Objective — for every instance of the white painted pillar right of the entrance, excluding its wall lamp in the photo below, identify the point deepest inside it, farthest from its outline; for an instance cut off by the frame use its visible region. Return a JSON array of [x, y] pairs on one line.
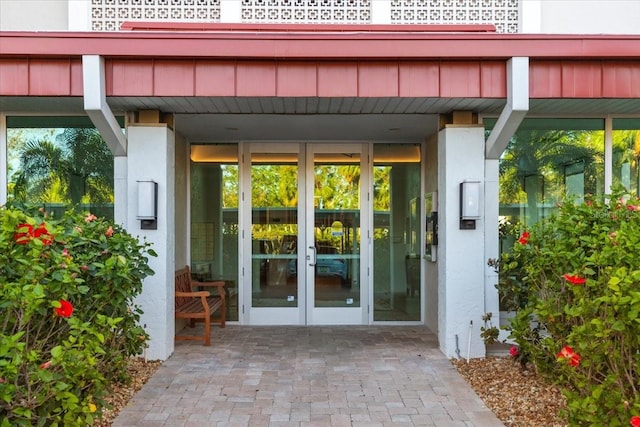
[[461, 258]]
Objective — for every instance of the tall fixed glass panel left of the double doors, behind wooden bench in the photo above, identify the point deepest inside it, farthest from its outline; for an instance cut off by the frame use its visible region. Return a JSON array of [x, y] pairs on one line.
[[214, 217]]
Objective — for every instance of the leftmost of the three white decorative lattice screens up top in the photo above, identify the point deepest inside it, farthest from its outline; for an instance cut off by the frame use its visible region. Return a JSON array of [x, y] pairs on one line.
[[108, 15]]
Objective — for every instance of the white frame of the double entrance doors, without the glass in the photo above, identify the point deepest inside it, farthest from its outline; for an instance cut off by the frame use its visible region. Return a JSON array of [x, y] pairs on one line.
[[304, 313]]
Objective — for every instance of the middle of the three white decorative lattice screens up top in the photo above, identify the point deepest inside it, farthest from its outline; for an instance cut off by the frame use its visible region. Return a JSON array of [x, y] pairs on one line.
[[307, 11]]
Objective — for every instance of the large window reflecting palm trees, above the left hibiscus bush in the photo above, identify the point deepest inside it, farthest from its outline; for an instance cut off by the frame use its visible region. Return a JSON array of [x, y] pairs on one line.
[[58, 162]]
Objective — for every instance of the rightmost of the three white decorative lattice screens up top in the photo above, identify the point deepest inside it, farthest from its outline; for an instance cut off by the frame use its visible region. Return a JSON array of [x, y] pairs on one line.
[[502, 13]]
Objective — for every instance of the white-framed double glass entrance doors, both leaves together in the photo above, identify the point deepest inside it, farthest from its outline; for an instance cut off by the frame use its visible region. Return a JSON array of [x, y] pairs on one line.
[[304, 233]]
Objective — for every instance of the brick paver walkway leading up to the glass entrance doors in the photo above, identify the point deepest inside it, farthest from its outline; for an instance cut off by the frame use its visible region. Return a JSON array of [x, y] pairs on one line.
[[308, 376]]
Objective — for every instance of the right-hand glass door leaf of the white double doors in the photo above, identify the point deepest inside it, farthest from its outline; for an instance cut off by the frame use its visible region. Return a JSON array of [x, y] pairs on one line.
[[334, 234]]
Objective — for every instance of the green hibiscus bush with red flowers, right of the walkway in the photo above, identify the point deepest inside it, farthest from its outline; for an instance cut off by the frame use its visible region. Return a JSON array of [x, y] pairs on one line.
[[575, 280]]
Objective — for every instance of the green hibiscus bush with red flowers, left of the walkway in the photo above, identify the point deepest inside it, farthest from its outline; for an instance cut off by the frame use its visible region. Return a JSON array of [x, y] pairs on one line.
[[69, 321]]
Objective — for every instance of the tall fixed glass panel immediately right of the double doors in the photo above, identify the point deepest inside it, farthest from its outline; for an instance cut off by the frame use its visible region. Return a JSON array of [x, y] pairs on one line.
[[397, 238]]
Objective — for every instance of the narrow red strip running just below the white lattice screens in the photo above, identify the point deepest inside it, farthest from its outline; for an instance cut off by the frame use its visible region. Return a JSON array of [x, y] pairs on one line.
[[305, 28]]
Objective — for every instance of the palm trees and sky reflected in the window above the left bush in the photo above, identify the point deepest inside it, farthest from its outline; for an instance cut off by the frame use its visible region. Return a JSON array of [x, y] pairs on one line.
[[76, 168]]
